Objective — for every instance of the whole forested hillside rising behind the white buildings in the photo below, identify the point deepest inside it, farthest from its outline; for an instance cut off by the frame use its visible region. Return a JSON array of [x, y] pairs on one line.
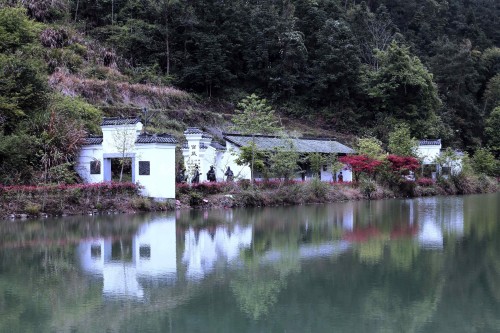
[[353, 67]]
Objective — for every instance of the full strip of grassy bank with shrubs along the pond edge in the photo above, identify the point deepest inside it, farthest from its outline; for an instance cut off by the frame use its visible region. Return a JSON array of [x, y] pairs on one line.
[[106, 198]]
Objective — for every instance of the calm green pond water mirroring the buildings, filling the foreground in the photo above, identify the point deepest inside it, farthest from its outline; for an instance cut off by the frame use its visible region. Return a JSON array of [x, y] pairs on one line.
[[419, 265]]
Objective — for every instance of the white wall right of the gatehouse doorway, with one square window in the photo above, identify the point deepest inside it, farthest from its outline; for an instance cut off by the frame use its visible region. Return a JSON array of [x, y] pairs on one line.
[[160, 183]]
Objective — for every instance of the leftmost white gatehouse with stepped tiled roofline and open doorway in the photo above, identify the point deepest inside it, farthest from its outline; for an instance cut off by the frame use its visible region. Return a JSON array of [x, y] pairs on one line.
[[152, 156]]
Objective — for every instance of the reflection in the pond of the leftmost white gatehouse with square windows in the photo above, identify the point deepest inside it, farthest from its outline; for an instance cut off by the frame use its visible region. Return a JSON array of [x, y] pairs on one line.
[[153, 254]]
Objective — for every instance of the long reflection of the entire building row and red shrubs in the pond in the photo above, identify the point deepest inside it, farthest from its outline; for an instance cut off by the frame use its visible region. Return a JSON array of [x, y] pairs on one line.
[[202, 241]]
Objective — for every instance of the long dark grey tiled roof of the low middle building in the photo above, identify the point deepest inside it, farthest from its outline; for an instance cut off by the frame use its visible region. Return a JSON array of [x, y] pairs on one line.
[[302, 145]]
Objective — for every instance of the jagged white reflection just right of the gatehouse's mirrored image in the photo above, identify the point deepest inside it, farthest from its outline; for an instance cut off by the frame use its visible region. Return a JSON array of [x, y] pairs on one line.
[[204, 248]]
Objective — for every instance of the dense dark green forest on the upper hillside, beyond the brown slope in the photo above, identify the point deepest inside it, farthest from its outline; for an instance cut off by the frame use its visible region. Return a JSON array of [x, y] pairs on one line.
[[352, 66]]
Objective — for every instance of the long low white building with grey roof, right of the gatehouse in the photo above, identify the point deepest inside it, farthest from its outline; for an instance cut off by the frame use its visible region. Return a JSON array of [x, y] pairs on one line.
[[202, 151]]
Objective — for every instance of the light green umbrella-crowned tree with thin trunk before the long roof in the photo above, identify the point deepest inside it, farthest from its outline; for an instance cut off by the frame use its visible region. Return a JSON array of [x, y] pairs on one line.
[[254, 116]]
